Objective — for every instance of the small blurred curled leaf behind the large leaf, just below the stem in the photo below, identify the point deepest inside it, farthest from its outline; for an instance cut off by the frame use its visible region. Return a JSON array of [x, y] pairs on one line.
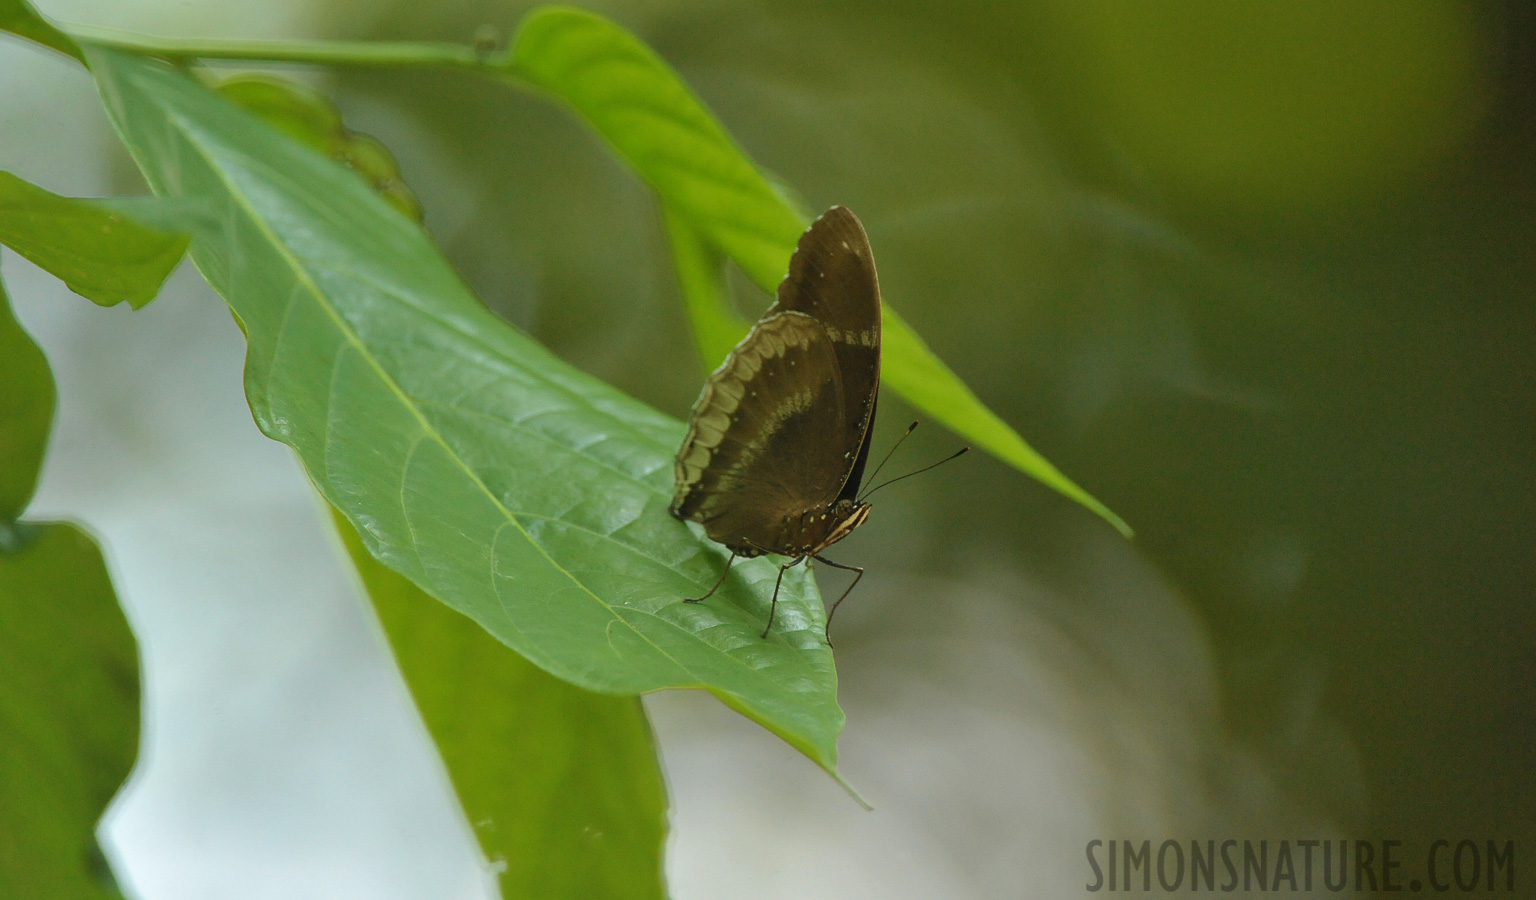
[[313, 121]]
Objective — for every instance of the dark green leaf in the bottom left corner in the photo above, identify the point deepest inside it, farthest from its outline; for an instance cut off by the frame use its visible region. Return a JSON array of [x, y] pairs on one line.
[[68, 712]]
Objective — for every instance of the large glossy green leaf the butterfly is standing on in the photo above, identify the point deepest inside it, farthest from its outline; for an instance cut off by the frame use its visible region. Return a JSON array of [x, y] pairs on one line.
[[500, 480]]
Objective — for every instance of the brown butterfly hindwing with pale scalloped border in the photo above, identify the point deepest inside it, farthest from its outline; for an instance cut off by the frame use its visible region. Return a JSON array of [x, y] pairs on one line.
[[755, 452]]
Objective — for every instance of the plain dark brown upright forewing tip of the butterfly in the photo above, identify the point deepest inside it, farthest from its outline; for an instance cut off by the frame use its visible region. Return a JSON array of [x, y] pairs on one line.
[[833, 280]]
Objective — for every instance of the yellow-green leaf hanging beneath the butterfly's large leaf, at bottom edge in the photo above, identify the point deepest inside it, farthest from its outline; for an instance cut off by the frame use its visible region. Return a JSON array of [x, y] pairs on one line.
[[560, 784]]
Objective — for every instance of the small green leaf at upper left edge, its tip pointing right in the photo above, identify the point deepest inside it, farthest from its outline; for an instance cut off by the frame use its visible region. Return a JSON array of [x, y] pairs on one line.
[[99, 253]]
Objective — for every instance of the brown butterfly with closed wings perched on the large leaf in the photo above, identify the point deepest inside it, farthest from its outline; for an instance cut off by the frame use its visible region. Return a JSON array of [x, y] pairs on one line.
[[780, 437]]
